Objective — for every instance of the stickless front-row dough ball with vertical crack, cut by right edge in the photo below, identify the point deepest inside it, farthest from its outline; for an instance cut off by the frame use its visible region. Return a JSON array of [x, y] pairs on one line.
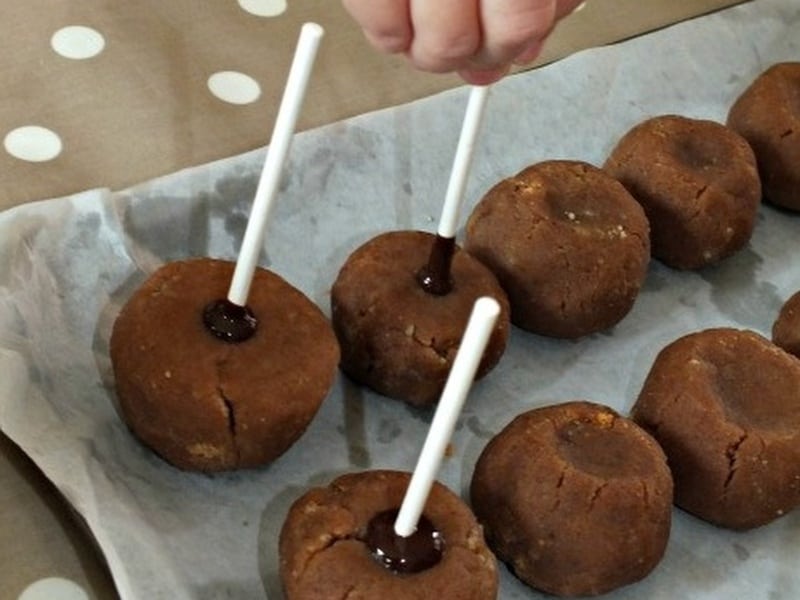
[[724, 405]]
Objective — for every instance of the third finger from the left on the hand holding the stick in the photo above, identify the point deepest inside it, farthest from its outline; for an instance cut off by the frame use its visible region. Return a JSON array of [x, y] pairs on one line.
[[510, 27]]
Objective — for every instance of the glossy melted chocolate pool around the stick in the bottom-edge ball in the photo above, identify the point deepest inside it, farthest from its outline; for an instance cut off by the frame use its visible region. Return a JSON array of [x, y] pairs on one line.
[[417, 552]]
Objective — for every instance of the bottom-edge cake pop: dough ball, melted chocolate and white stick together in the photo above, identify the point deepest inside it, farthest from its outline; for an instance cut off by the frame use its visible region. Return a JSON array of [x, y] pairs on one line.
[[418, 541]]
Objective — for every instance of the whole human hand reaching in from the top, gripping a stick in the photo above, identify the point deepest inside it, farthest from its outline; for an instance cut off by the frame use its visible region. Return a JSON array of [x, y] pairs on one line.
[[479, 39]]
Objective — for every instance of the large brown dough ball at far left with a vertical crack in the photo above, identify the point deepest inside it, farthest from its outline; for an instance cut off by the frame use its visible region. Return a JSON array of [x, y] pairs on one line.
[[208, 405]]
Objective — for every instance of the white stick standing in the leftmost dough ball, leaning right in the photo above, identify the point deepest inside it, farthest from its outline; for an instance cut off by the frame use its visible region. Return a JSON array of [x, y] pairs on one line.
[[299, 74]]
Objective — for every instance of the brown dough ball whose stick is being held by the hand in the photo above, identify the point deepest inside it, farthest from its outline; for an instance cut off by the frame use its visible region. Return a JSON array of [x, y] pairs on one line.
[[397, 338]]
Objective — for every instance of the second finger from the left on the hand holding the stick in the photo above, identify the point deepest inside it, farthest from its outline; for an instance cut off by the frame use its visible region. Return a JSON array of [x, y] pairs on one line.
[[446, 33]]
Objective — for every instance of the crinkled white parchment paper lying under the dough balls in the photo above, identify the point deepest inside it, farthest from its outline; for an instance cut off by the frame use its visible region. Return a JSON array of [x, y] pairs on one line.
[[67, 265]]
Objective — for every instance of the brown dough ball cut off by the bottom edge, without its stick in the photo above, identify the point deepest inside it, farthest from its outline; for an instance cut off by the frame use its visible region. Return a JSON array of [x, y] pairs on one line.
[[323, 554]]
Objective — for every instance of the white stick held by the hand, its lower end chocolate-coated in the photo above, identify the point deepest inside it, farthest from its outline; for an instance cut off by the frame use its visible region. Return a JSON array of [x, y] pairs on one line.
[[448, 223]]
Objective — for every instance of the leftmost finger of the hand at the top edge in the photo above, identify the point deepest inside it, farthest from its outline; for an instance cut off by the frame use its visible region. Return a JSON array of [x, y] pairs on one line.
[[386, 23]]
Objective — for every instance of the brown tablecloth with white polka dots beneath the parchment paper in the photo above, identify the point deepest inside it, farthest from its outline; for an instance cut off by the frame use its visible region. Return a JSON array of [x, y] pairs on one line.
[[138, 105]]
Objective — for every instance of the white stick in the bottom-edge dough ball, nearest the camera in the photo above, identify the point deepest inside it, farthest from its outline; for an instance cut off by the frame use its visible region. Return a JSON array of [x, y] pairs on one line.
[[473, 343]]
